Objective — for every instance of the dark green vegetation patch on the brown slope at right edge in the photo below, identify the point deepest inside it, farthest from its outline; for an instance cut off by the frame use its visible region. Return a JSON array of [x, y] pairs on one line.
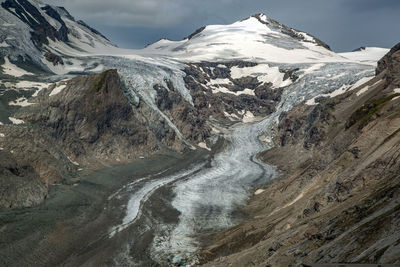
[[363, 114]]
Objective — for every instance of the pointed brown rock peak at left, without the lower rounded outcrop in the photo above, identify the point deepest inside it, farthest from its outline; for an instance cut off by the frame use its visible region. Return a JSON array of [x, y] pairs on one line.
[[88, 116]]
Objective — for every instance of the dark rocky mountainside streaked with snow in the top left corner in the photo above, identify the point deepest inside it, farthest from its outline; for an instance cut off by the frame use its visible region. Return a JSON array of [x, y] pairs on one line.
[[30, 30]]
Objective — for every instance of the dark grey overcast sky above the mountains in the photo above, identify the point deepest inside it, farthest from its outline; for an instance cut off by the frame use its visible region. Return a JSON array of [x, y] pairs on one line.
[[342, 24]]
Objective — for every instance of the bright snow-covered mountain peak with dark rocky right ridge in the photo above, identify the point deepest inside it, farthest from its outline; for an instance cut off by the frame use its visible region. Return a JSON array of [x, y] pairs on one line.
[[257, 37]]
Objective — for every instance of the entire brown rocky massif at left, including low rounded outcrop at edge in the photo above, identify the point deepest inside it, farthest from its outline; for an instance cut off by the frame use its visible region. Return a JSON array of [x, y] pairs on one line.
[[86, 121]]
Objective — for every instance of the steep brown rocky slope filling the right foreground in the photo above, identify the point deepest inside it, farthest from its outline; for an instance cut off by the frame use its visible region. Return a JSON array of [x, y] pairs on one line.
[[338, 199]]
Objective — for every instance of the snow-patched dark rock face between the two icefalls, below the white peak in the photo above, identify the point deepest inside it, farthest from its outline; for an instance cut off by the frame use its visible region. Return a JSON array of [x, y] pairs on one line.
[[209, 101]]
